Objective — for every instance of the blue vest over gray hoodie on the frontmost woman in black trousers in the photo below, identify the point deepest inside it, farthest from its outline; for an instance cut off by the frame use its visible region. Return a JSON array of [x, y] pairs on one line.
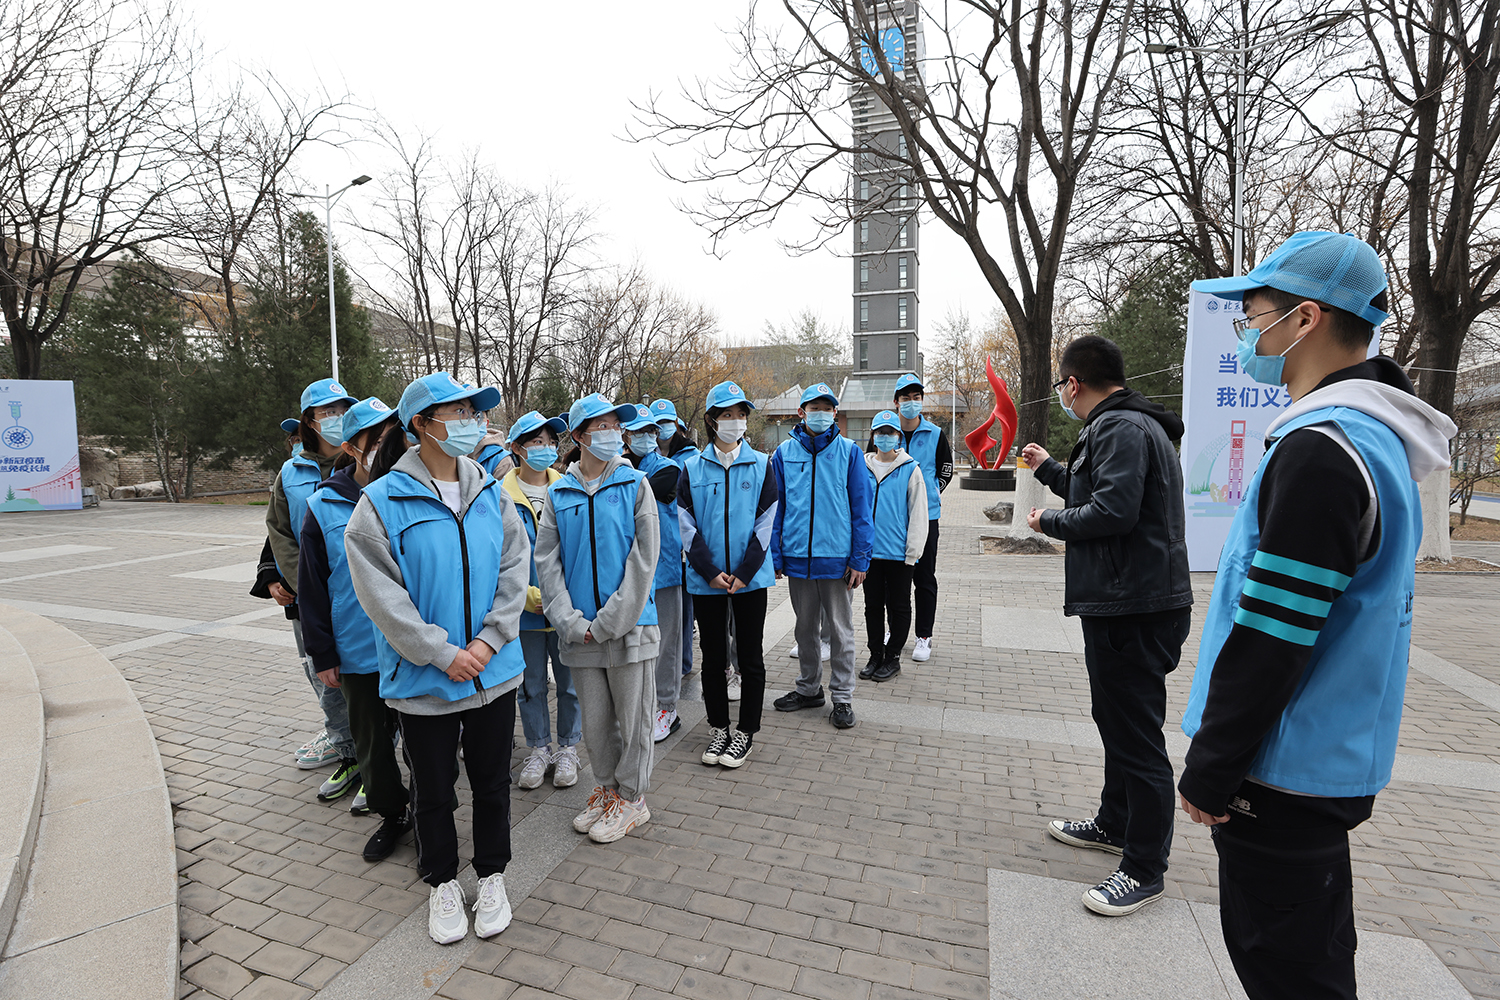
[[451, 569]]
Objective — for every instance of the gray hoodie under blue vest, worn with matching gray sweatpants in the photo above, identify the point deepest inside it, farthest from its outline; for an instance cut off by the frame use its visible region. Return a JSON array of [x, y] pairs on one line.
[[619, 639]]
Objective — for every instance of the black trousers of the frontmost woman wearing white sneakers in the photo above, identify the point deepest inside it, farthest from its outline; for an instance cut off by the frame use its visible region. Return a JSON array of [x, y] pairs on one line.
[[433, 744]]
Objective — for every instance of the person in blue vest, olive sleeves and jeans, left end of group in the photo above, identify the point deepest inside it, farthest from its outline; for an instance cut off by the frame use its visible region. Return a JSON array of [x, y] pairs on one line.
[[322, 433]]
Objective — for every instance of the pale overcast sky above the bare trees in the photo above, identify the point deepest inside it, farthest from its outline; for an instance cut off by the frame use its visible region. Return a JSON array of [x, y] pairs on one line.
[[545, 91]]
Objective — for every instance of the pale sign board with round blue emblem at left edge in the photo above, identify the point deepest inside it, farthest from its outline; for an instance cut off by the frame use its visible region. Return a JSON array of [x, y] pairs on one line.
[[40, 448]]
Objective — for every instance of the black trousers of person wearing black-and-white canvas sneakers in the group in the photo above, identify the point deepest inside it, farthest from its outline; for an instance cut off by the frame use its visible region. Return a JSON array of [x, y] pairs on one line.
[[713, 639]]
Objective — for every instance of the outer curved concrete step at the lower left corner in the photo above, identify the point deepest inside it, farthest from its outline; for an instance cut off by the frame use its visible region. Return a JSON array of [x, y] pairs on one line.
[[98, 915]]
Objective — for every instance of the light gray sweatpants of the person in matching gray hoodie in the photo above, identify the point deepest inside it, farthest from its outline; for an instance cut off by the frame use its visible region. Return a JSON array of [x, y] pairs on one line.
[[619, 713]]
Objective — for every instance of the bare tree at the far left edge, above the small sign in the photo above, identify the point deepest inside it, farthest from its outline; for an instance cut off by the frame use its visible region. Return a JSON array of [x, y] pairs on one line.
[[89, 92]]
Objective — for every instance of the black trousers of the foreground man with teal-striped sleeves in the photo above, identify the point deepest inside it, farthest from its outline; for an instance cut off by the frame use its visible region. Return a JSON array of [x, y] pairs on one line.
[[1286, 893]]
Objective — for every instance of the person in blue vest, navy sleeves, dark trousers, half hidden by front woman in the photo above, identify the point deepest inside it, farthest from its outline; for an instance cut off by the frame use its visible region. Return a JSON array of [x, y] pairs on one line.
[[340, 636]]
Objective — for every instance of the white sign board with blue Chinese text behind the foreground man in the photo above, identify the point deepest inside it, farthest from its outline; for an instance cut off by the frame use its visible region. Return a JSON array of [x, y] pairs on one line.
[[1228, 416]]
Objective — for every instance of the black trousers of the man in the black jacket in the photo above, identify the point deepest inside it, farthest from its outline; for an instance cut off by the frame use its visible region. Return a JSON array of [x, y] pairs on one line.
[[1129, 660]]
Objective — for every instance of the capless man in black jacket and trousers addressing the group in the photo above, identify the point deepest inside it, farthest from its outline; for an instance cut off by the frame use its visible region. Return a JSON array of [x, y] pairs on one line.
[[1127, 579]]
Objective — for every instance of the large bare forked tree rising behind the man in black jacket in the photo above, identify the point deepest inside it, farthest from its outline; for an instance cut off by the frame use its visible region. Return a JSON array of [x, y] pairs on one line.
[[773, 133]]
